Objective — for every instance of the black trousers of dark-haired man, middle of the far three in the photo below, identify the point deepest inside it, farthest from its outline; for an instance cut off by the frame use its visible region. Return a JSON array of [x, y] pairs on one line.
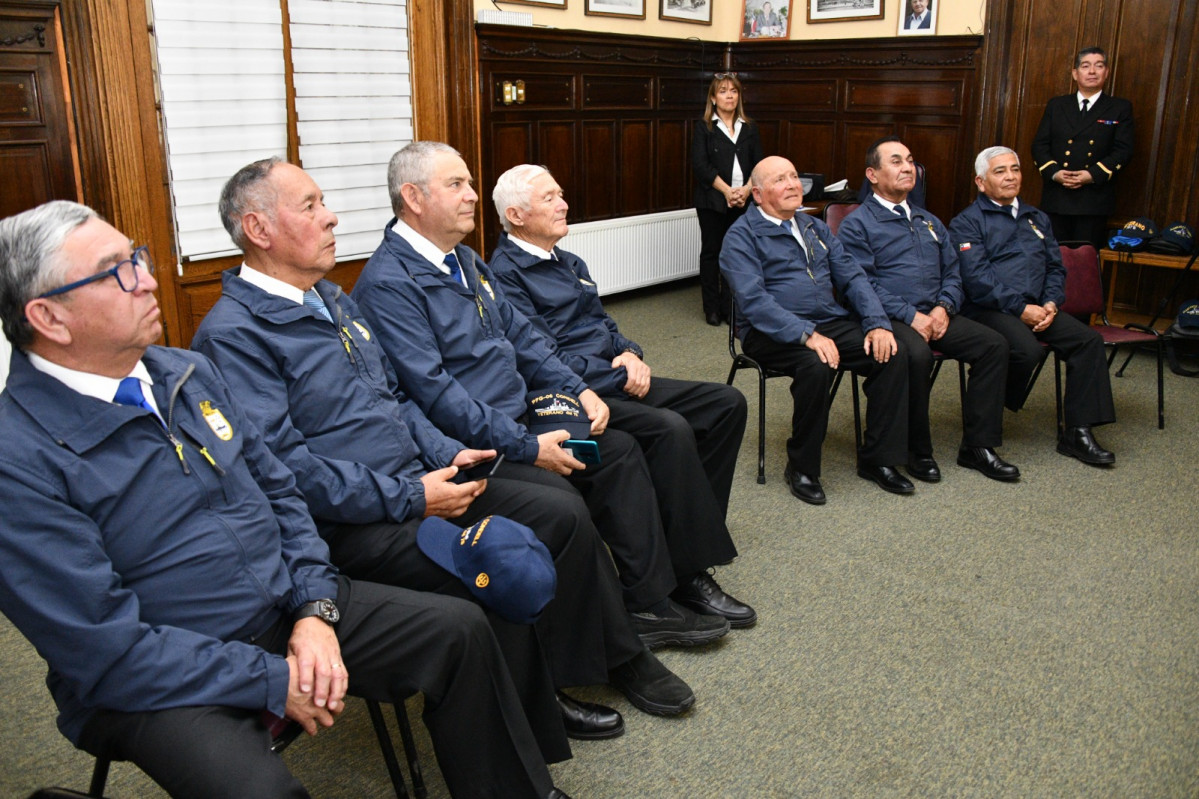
[[983, 412]]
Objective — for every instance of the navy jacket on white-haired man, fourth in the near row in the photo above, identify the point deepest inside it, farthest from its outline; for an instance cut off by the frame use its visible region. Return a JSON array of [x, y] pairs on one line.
[[563, 302]]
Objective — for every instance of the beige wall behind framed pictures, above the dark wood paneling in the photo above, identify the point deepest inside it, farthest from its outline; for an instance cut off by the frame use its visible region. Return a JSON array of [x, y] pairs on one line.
[[954, 20]]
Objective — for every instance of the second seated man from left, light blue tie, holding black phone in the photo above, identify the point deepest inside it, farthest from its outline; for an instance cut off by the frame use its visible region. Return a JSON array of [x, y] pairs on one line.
[[372, 466]]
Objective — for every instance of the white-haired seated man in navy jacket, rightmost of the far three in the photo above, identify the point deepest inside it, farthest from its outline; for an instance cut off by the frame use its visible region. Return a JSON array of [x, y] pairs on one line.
[[1015, 283]]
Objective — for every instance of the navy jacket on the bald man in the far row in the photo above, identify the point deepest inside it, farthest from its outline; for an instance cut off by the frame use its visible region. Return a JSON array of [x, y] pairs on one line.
[[779, 298]]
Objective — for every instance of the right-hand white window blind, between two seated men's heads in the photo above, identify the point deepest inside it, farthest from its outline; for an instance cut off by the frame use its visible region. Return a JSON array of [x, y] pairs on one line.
[[354, 106]]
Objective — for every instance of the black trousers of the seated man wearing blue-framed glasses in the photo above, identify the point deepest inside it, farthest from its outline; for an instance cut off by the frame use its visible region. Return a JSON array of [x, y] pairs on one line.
[[395, 644]]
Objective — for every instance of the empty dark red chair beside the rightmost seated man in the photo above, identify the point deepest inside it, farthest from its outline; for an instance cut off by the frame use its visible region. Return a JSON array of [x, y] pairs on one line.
[[1084, 299]]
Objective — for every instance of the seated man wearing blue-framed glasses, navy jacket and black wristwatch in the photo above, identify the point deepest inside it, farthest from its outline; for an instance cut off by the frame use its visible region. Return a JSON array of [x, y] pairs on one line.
[[162, 561]]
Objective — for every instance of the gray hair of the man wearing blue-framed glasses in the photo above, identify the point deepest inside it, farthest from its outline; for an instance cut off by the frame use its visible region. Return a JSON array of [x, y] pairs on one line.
[[29, 261]]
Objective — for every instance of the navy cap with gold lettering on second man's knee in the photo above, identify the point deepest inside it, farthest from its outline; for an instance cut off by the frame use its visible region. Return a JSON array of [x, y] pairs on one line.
[[502, 562]]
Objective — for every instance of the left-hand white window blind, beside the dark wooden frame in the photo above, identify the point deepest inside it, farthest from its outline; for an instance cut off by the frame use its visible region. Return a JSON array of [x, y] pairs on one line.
[[225, 105]]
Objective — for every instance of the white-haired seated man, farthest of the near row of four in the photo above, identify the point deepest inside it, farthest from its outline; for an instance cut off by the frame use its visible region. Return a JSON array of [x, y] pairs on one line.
[[690, 432]]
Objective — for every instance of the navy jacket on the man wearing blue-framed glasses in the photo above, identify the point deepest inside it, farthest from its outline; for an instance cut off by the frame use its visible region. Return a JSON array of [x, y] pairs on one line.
[[135, 569]]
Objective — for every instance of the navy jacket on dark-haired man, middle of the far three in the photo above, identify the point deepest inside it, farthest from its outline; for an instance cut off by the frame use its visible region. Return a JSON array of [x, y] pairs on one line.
[[912, 265]]
